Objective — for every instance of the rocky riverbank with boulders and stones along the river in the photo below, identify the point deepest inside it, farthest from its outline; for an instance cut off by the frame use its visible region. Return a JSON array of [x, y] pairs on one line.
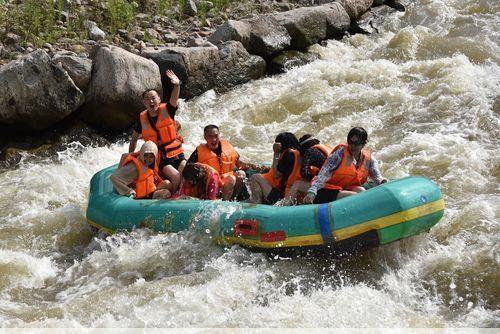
[[58, 92]]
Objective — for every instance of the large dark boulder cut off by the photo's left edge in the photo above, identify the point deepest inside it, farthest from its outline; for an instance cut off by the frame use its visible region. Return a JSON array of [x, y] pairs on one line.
[[36, 93]]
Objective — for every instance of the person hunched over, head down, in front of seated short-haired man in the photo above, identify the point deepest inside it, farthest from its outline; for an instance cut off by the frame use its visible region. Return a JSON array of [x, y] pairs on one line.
[[200, 181]]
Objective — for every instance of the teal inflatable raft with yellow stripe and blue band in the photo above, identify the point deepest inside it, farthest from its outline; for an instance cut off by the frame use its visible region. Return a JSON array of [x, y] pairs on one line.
[[395, 210]]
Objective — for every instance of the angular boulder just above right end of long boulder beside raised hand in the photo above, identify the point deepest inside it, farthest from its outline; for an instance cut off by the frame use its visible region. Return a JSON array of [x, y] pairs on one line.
[[267, 36]]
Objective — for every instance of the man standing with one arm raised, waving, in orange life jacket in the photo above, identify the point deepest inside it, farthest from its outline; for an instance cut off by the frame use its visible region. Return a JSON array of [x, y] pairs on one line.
[[157, 124]]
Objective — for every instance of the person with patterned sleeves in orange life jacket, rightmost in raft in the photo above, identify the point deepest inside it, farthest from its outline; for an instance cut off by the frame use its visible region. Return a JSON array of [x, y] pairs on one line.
[[345, 170]]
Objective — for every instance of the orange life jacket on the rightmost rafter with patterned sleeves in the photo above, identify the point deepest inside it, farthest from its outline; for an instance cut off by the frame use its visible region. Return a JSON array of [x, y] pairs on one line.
[[347, 176]]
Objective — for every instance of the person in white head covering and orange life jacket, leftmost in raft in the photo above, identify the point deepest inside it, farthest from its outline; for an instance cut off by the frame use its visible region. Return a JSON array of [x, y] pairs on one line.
[[138, 175]]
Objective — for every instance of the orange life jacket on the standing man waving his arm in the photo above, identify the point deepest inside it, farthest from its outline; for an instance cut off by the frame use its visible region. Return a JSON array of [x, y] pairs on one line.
[[167, 133]]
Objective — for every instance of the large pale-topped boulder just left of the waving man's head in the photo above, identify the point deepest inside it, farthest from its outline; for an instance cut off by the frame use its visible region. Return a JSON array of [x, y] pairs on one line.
[[118, 80]]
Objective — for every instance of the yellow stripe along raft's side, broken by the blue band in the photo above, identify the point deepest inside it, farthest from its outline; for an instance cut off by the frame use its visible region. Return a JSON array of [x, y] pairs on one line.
[[344, 233]]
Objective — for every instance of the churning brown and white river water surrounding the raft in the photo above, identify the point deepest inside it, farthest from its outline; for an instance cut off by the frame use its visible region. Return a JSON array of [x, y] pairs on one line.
[[427, 90]]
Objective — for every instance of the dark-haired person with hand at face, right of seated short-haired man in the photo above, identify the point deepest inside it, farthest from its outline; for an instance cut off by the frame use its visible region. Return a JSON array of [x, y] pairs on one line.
[[274, 185]]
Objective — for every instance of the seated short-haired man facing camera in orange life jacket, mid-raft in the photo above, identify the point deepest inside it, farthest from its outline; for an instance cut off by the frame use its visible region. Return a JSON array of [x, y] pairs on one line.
[[221, 156]]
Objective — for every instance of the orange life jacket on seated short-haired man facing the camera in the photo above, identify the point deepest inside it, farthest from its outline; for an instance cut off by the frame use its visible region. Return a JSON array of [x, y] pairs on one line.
[[223, 164]]
